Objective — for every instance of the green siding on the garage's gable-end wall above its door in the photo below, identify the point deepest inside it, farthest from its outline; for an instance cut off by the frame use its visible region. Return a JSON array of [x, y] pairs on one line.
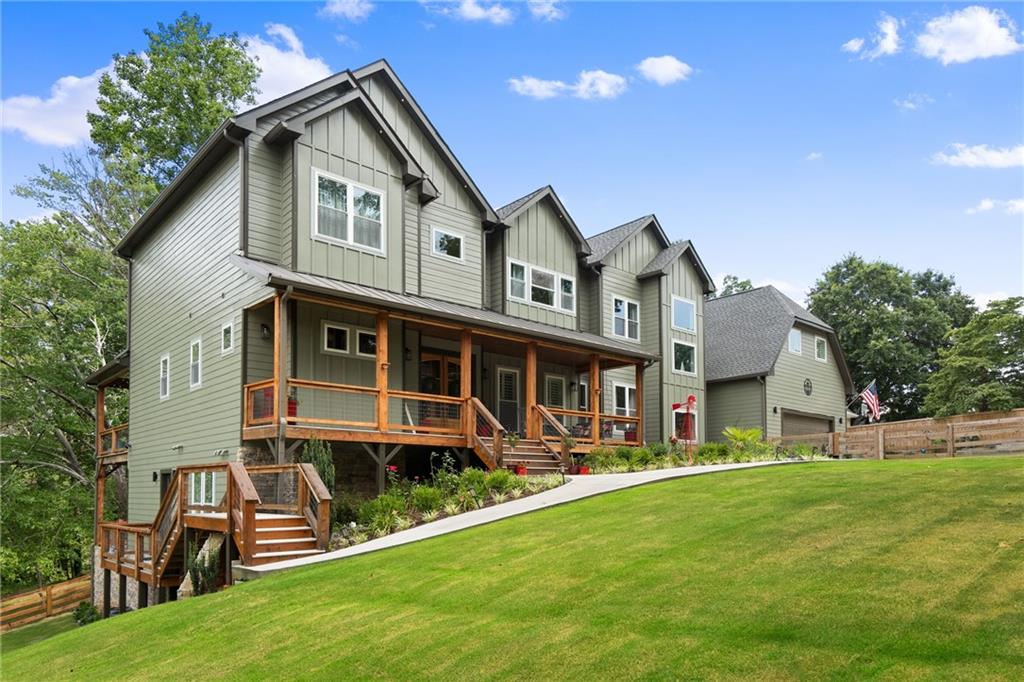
[[786, 386]]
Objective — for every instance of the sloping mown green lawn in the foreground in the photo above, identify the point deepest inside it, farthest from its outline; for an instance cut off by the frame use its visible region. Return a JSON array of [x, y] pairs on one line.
[[848, 570]]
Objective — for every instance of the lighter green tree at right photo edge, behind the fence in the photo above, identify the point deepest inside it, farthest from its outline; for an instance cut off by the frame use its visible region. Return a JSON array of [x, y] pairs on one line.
[[984, 369]]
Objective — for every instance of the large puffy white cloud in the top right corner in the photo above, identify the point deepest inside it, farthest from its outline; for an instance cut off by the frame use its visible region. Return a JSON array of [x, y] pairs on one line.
[[974, 33]]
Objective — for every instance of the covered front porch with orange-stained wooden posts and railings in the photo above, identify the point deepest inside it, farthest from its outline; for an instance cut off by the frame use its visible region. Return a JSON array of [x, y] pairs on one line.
[[348, 371]]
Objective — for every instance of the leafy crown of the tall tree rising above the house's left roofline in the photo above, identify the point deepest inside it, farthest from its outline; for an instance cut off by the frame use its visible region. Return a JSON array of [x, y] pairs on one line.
[[158, 108]]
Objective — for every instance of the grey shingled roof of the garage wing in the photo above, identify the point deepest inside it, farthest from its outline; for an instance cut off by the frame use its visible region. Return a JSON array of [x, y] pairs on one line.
[[745, 334]]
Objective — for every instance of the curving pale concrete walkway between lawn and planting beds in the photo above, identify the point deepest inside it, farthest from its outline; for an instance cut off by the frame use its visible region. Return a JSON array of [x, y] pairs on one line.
[[576, 488]]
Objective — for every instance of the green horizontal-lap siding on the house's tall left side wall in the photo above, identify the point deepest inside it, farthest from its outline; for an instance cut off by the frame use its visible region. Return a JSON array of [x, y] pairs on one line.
[[185, 287]]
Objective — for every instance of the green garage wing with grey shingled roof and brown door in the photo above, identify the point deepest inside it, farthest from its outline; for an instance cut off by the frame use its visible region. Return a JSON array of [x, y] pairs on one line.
[[774, 366]]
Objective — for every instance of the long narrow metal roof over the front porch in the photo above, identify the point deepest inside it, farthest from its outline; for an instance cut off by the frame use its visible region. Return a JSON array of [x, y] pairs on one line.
[[277, 276]]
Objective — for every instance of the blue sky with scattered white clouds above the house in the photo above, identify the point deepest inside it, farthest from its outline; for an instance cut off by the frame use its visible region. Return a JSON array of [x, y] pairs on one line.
[[771, 137]]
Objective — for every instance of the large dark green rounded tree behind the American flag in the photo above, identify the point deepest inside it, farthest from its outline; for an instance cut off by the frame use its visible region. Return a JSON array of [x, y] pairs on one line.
[[891, 325]]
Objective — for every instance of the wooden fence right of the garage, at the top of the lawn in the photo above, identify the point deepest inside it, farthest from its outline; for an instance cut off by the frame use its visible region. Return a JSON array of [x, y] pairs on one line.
[[977, 434]]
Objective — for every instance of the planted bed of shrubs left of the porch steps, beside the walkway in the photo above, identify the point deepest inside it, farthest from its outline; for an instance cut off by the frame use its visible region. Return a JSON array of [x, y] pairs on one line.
[[411, 503]]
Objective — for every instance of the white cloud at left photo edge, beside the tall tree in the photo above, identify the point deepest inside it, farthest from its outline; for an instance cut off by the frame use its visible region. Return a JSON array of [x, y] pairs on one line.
[[60, 119]]
